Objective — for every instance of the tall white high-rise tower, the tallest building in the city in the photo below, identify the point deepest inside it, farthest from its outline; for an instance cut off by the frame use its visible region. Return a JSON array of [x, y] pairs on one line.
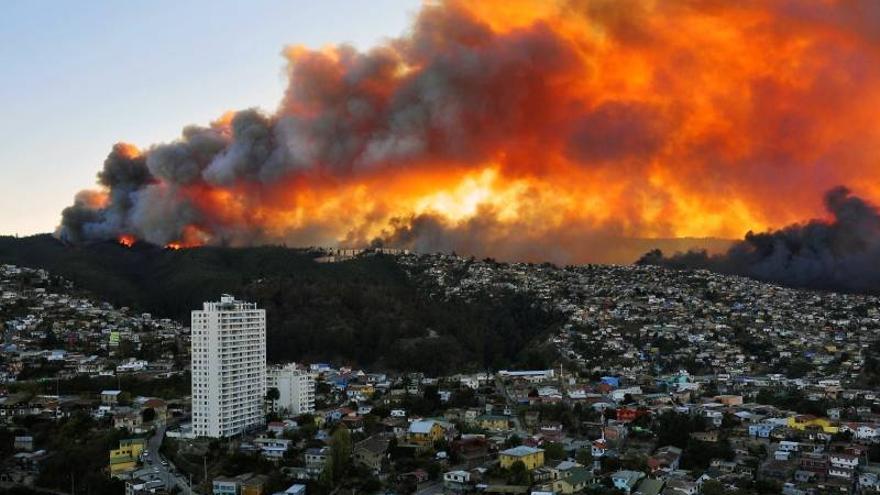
[[228, 367]]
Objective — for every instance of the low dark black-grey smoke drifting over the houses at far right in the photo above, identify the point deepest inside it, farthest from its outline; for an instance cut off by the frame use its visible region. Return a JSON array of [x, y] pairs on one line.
[[840, 254]]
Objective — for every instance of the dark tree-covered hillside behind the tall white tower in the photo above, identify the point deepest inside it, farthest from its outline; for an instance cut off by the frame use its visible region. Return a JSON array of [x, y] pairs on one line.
[[366, 311]]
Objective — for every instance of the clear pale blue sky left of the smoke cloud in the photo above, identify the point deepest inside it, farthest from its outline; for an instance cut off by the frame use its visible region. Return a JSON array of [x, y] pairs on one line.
[[80, 76]]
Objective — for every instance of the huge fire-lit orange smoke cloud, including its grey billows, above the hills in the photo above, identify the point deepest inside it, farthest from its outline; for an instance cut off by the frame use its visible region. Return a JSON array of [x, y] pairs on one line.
[[528, 130]]
